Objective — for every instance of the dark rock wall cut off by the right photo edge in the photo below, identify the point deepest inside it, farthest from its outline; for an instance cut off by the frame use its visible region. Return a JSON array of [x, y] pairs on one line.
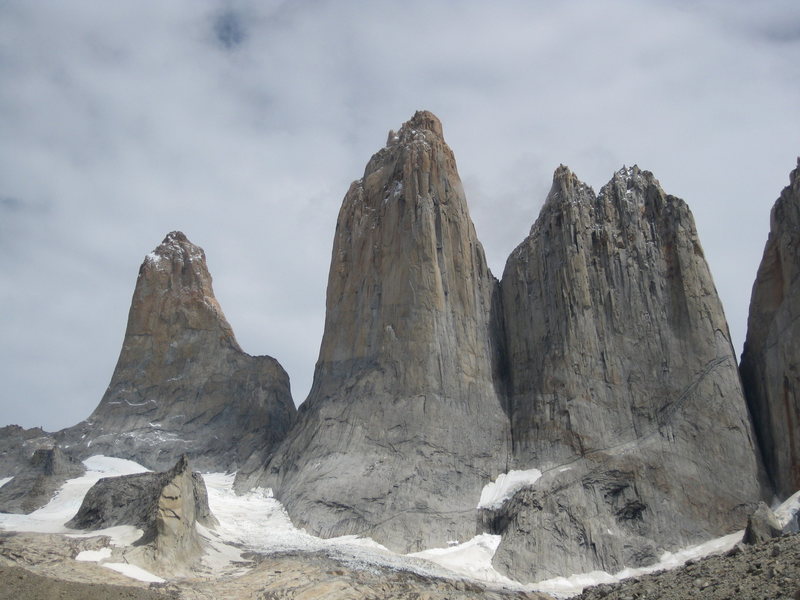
[[771, 359]]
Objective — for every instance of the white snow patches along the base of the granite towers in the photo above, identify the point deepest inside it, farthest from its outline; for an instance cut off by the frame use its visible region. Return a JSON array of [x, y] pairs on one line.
[[257, 522]]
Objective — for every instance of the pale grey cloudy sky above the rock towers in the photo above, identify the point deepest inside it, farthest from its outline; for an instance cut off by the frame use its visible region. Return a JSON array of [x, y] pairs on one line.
[[242, 124]]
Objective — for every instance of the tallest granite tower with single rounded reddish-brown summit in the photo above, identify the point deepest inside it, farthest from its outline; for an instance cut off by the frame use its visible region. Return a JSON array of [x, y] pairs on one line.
[[405, 422]]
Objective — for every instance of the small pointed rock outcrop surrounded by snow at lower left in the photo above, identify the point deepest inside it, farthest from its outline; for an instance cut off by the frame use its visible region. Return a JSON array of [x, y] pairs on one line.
[[164, 505]]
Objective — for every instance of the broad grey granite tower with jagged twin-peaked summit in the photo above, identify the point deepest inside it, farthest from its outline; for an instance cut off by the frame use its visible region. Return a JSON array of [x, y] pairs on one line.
[[623, 389]]
